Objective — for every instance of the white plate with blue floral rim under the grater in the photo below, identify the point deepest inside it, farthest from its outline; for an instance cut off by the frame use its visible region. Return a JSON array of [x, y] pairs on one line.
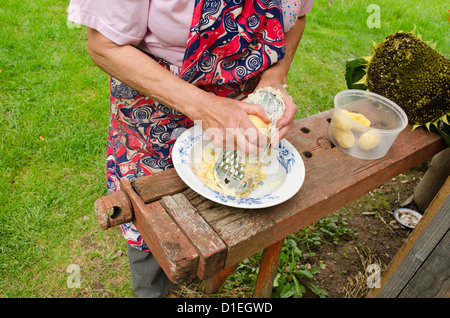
[[284, 178]]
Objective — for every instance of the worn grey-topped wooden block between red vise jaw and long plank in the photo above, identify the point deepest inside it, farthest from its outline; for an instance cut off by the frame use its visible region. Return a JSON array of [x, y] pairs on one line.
[[211, 249]]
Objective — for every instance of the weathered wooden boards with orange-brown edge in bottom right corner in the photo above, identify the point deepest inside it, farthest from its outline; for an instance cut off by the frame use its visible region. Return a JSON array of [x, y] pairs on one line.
[[421, 266]]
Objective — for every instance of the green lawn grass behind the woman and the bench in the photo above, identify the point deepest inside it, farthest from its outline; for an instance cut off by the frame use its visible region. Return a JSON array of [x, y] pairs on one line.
[[53, 126]]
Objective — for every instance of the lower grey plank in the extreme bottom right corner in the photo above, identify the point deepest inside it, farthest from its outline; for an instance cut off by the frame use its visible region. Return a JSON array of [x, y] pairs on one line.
[[432, 280]]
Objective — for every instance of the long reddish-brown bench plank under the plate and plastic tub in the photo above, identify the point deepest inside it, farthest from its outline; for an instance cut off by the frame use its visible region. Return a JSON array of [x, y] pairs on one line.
[[332, 180]]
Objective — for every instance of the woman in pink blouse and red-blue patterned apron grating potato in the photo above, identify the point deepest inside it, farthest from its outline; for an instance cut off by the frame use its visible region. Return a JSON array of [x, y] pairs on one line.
[[173, 62]]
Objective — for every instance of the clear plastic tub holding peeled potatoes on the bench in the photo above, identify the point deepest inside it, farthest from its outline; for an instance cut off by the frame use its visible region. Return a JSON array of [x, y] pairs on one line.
[[364, 124]]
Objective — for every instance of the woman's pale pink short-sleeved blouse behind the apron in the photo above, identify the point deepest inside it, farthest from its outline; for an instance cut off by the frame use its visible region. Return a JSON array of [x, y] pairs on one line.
[[159, 27]]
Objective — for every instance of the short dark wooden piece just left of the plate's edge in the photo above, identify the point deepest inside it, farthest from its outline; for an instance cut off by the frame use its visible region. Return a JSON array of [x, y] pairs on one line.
[[155, 186]]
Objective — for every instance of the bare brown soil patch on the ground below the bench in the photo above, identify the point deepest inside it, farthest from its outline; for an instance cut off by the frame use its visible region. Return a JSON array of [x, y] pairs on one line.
[[349, 266]]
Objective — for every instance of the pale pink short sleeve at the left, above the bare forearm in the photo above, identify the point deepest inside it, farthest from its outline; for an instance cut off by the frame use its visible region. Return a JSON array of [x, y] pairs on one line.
[[121, 21]]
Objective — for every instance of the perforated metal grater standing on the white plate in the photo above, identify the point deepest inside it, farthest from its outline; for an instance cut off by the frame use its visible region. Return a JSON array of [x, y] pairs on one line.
[[229, 172]]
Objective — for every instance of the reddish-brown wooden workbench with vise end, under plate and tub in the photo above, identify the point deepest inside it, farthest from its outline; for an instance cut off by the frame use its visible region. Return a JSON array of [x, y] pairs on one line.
[[193, 236]]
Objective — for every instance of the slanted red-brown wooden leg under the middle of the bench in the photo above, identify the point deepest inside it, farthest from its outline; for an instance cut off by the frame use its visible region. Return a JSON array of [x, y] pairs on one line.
[[267, 270]]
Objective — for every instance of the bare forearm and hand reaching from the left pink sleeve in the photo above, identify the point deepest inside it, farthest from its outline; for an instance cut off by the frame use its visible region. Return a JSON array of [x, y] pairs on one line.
[[217, 115]]
